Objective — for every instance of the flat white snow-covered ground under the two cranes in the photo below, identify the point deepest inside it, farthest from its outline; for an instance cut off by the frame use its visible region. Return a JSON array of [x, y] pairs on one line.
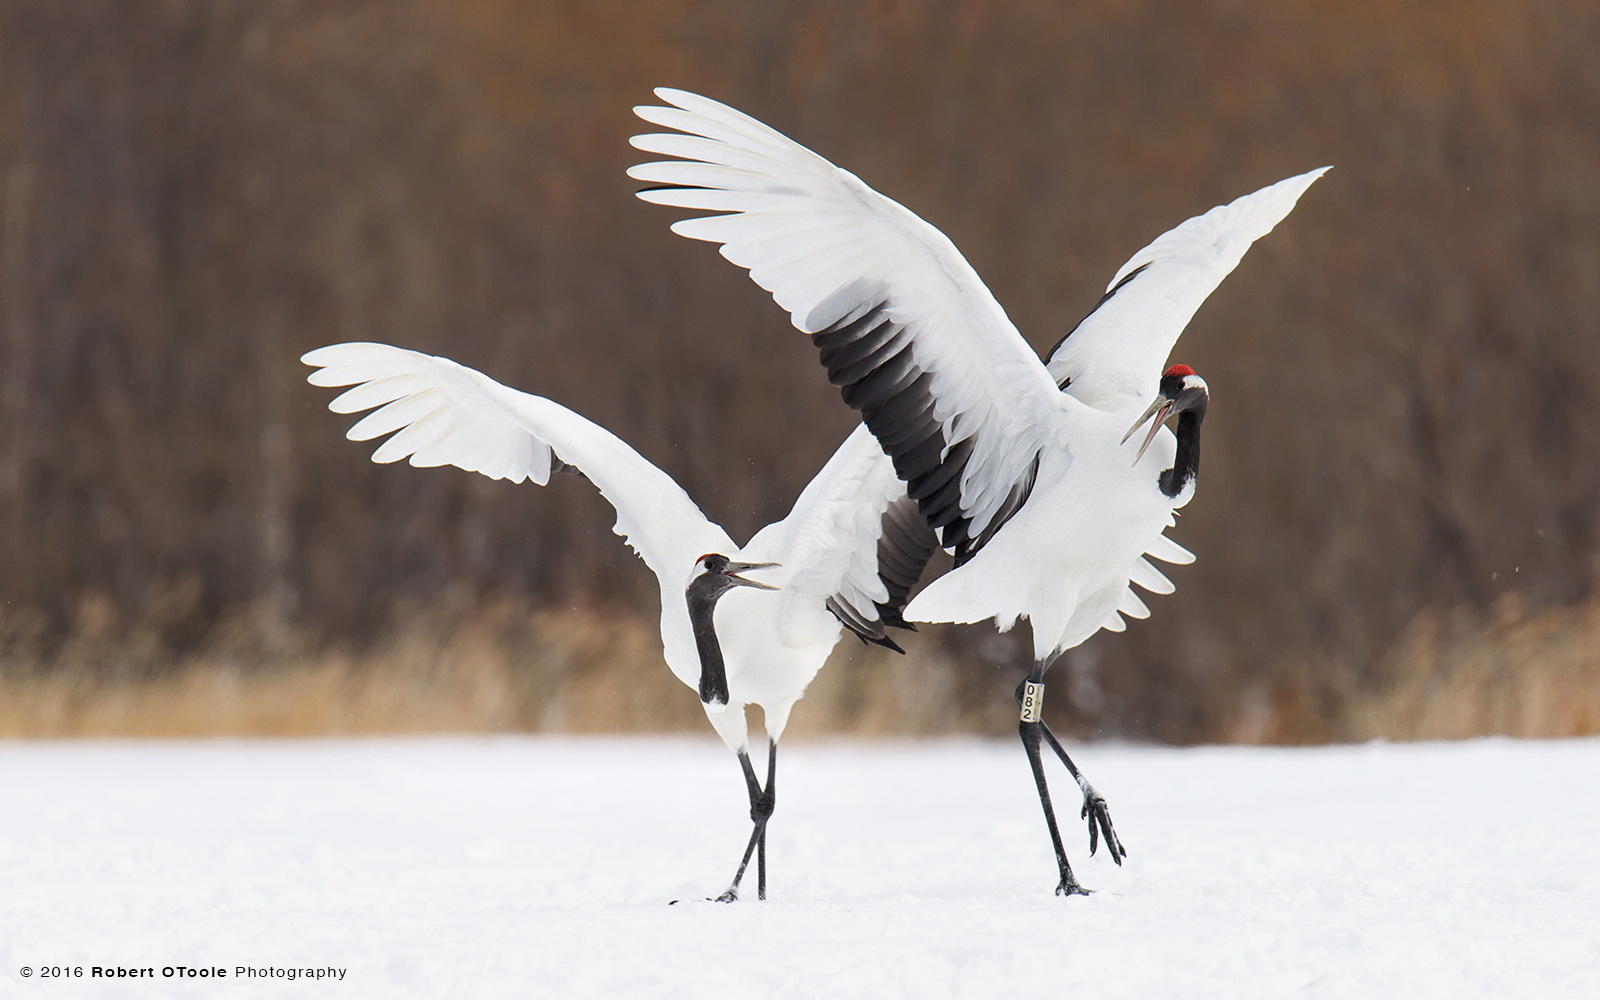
[[543, 868]]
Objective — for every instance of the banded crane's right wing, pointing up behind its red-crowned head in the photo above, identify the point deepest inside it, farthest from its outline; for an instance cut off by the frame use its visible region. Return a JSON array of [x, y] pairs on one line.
[[1121, 348]]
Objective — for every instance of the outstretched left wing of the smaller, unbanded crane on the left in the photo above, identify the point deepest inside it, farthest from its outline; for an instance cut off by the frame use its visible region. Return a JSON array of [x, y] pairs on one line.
[[444, 414]]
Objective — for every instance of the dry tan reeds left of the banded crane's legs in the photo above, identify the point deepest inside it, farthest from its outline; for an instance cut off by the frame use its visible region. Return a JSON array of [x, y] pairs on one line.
[[460, 666]]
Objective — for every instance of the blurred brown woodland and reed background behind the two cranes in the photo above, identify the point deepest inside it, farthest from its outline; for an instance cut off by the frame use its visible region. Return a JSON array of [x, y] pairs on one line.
[[1399, 521]]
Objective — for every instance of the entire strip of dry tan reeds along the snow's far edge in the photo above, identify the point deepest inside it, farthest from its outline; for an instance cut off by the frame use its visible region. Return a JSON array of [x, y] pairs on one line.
[[506, 666]]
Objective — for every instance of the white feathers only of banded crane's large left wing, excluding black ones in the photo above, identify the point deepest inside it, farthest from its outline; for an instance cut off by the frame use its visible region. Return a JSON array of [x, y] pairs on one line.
[[818, 239]]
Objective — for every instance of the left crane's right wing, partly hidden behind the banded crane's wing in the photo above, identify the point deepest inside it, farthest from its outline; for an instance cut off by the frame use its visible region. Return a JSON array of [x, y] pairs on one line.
[[854, 542]]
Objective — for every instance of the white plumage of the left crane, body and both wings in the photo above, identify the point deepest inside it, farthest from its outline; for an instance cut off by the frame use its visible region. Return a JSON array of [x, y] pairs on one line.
[[774, 642]]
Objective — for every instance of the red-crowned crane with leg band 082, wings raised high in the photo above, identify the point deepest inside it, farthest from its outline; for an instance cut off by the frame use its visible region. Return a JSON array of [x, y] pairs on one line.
[[1023, 466]]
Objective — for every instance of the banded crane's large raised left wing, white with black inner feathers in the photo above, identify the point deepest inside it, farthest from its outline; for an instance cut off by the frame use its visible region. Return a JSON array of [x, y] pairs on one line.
[[906, 329]]
